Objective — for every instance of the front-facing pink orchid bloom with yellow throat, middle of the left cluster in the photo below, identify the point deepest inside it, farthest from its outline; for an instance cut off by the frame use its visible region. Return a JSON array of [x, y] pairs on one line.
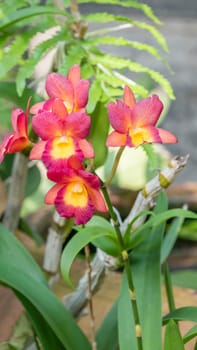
[[61, 138]]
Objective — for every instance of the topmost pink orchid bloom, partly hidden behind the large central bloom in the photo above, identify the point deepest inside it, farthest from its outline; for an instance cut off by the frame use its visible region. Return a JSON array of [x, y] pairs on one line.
[[70, 92]]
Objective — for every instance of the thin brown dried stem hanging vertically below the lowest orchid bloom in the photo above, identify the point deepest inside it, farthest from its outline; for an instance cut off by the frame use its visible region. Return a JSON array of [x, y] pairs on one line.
[[90, 295]]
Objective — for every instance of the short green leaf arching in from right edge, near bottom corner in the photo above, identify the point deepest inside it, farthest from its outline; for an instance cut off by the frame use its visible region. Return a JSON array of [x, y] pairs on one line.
[[187, 313]]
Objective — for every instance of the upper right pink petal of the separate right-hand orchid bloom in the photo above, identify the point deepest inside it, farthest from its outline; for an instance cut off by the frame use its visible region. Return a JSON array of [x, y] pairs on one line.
[[147, 112]]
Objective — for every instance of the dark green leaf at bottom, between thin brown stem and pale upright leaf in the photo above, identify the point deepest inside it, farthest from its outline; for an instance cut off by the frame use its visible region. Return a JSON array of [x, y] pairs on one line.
[[107, 334]]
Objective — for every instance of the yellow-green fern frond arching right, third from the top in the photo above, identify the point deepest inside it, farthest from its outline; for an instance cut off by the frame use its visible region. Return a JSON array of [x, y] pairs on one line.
[[120, 41]]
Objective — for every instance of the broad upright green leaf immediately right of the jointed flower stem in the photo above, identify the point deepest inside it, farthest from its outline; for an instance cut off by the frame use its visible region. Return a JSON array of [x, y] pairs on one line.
[[146, 268]]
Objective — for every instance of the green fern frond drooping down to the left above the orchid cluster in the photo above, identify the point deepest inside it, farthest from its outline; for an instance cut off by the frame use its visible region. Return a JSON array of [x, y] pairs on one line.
[[27, 69]]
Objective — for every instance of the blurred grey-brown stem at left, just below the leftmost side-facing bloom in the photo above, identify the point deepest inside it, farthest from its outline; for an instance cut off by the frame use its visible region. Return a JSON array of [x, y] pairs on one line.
[[16, 192]]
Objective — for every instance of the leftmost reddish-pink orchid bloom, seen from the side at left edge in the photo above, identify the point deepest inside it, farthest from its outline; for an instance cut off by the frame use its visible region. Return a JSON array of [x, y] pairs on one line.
[[18, 140]]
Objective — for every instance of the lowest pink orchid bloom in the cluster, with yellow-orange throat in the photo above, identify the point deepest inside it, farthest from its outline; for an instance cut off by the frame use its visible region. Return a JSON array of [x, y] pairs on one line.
[[76, 194]]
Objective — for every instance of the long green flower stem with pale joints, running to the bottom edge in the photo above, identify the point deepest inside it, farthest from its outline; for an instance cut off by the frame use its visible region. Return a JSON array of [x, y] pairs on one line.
[[127, 266]]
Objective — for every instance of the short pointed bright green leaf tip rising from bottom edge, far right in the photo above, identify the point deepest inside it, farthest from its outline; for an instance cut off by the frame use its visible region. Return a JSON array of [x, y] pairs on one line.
[[173, 339]]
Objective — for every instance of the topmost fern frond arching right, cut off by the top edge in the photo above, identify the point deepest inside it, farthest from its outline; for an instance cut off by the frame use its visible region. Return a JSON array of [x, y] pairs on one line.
[[146, 9]]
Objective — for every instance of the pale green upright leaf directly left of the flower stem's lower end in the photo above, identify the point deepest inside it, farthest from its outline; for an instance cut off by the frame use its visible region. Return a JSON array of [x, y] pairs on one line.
[[126, 325]]
